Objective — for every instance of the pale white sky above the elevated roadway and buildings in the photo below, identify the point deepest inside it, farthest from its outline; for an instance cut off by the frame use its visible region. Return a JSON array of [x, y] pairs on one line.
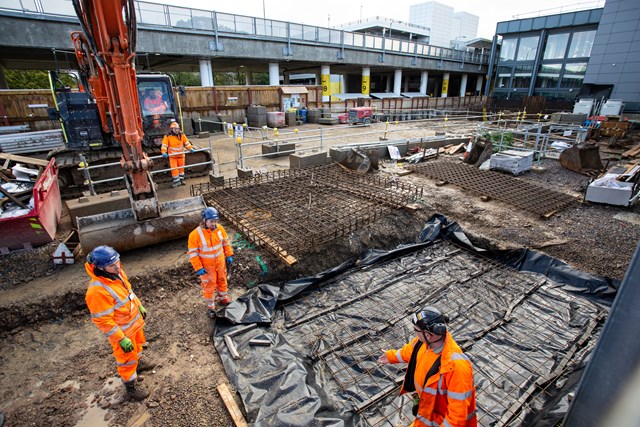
[[334, 12]]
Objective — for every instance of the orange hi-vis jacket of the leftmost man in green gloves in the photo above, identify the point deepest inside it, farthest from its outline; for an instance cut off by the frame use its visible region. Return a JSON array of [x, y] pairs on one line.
[[113, 306]]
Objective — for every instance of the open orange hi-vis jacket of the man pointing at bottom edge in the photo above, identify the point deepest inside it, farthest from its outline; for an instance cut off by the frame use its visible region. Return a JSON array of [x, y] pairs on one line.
[[448, 398]]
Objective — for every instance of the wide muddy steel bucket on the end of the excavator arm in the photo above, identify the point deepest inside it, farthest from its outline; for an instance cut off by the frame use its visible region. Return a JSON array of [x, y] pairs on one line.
[[122, 231]]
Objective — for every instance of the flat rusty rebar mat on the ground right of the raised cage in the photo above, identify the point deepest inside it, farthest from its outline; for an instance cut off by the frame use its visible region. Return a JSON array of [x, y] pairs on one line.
[[507, 189]]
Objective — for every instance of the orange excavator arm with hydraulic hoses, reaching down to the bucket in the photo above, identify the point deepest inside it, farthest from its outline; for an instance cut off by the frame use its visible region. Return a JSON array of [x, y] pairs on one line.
[[105, 50]]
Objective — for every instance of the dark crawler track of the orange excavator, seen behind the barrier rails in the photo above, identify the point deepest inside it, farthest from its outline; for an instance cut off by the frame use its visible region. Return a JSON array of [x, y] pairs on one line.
[[72, 179]]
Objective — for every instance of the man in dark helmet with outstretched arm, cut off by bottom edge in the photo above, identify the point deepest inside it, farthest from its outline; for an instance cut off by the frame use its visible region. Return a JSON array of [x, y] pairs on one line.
[[439, 374]]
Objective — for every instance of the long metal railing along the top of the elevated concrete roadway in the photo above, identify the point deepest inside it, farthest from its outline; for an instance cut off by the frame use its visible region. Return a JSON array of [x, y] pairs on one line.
[[216, 23]]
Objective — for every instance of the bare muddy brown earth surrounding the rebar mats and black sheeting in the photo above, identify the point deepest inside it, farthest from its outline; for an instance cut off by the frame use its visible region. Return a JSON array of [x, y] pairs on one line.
[[56, 367]]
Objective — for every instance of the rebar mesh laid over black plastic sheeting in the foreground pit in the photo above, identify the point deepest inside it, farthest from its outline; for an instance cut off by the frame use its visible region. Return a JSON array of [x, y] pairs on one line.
[[522, 333]]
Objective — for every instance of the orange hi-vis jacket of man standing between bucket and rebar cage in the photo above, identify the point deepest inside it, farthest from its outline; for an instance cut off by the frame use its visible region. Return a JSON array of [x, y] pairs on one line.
[[208, 247]]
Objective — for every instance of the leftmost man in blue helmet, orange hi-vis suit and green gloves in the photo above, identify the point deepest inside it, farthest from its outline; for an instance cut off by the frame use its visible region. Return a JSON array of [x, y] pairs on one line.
[[119, 314]]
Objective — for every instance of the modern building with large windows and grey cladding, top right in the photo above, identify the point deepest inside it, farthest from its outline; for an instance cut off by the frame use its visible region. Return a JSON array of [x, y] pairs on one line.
[[591, 53]]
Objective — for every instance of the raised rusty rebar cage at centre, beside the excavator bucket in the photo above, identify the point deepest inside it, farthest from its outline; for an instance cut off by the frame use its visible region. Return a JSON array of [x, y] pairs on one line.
[[289, 212]]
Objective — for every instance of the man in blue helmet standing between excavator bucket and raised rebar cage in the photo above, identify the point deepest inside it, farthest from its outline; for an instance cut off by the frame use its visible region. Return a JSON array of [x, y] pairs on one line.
[[209, 253]]
